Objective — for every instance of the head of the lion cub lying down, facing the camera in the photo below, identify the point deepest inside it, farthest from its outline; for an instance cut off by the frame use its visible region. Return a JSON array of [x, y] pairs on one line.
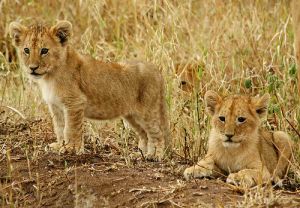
[[235, 119]]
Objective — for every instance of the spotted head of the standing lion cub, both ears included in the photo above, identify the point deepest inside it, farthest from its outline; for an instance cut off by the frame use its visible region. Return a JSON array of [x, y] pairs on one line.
[[41, 48]]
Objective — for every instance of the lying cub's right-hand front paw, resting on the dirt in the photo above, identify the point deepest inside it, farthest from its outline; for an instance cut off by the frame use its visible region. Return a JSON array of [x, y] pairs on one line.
[[241, 179]]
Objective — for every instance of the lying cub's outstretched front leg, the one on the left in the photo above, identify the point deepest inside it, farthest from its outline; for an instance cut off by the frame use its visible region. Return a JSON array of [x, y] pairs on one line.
[[204, 168]]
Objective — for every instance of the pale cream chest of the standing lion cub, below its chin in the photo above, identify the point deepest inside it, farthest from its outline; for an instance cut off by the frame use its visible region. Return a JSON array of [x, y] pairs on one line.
[[49, 92]]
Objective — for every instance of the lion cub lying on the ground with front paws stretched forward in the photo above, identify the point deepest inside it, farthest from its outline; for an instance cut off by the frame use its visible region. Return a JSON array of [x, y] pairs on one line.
[[238, 146]]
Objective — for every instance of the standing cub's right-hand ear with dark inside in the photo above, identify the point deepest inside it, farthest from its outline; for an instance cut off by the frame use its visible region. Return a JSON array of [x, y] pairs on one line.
[[63, 31]]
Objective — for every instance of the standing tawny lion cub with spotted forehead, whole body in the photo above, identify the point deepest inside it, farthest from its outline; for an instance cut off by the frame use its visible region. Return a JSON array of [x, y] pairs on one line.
[[77, 86]]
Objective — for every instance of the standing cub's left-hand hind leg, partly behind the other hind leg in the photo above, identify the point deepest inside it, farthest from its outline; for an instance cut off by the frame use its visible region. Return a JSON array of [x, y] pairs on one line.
[[143, 139]]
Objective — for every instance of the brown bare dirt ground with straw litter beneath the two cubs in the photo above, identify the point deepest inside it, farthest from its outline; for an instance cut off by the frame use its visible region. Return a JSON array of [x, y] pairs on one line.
[[31, 176]]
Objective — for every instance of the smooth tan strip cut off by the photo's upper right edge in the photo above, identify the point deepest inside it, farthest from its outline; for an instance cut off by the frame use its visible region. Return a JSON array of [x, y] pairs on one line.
[[295, 8]]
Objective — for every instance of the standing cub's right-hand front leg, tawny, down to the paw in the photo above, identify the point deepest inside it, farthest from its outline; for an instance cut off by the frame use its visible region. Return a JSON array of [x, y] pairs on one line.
[[73, 116]]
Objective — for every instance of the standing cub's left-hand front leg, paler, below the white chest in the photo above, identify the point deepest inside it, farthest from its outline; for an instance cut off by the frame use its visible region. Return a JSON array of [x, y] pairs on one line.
[[58, 124]]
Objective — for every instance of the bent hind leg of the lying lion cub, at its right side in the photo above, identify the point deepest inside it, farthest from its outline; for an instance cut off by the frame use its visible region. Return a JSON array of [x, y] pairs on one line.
[[284, 145]]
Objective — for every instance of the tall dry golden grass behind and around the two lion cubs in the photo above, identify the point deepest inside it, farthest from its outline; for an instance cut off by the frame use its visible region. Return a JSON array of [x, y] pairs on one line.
[[243, 46]]
